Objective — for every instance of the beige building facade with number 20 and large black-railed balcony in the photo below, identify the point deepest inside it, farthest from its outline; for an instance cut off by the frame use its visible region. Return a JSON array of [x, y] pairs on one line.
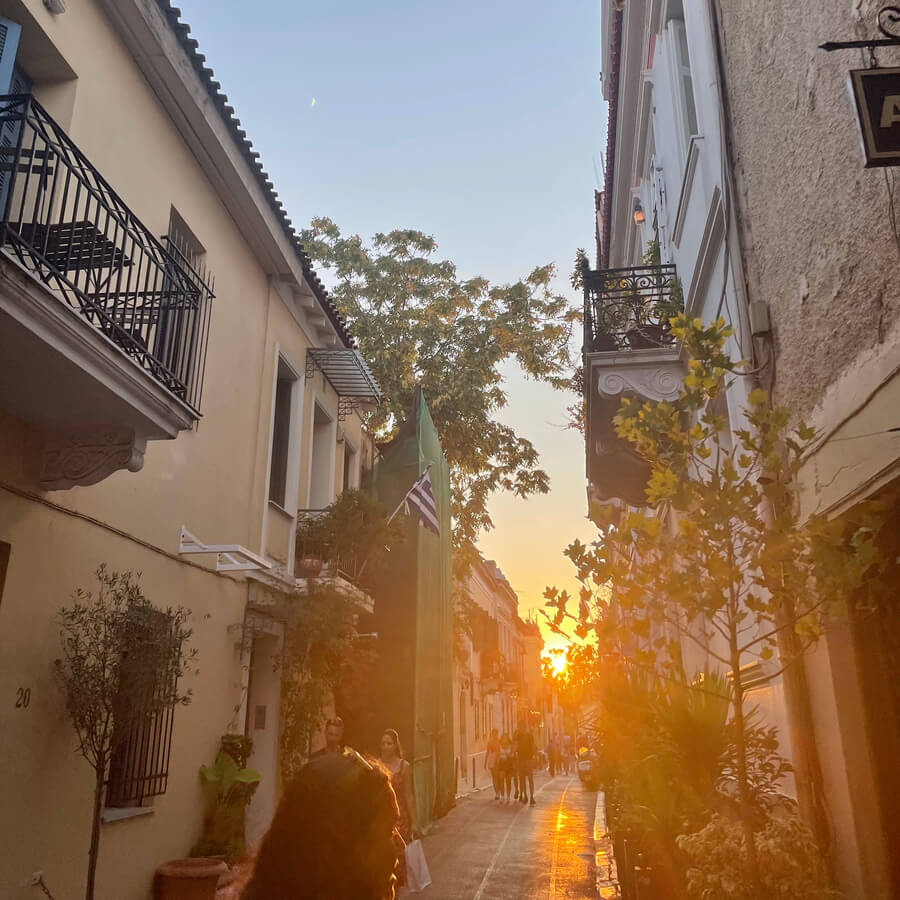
[[161, 411]]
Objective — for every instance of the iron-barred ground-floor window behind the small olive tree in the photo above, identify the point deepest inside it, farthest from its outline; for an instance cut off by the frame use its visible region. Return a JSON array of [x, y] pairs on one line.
[[142, 733]]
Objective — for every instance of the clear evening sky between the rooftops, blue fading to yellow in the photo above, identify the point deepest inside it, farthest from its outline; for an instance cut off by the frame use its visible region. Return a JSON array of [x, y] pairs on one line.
[[480, 123]]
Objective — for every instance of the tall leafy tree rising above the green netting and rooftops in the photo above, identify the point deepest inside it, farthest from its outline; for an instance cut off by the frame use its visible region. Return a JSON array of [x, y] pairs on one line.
[[418, 323]]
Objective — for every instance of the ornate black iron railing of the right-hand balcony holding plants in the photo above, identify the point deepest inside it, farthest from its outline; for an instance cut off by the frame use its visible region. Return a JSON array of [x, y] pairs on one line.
[[629, 309]]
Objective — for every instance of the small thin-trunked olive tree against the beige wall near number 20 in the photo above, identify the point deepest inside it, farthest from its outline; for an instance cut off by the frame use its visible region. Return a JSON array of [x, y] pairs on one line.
[[121, 662]]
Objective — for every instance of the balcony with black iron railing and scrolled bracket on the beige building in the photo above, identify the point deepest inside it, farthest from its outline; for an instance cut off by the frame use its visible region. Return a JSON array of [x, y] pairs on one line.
[[103, 326]]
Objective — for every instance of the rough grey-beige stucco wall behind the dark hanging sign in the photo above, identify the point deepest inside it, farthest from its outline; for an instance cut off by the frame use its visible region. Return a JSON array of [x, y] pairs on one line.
[[817, 237]]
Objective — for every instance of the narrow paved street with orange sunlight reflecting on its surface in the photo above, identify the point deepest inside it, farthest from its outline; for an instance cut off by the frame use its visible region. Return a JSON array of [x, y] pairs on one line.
[[484, 850]]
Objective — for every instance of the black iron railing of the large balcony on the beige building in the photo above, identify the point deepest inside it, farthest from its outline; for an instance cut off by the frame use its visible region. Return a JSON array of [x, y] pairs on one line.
[[64, 223]]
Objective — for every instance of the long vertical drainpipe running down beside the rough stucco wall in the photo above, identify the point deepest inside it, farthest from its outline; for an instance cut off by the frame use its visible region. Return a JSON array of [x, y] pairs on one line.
[[806, 760]]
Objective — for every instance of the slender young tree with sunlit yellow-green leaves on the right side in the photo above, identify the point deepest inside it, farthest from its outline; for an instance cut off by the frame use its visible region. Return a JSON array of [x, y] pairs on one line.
[[720, 557]]
